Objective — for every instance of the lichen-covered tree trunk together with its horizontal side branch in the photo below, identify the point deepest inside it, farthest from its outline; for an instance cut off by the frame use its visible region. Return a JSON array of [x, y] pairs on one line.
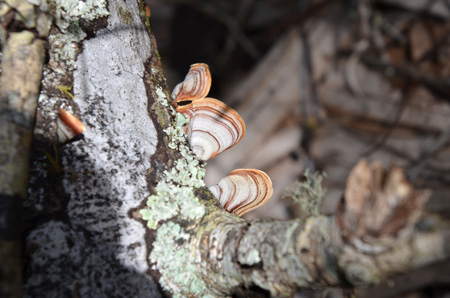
[[86, 235]]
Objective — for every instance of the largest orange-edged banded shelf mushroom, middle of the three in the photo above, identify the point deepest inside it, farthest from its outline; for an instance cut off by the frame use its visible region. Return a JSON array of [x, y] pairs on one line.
[[213, 127]]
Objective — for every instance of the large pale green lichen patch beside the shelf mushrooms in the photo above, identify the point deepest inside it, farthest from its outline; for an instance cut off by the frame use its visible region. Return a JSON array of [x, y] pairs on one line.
[[174, 197]]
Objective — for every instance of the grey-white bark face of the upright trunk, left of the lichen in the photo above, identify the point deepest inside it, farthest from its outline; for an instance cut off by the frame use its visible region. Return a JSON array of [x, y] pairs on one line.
[[81, 238]]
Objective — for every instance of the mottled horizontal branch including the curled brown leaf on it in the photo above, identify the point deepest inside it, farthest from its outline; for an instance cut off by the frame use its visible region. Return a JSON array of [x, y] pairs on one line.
[[376, 235]]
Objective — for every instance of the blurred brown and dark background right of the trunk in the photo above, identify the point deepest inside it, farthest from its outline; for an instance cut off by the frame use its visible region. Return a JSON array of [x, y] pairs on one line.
[[320, 85]]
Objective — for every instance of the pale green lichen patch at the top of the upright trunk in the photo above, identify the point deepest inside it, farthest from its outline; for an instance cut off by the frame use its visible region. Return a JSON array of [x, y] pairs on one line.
[[67, 15]]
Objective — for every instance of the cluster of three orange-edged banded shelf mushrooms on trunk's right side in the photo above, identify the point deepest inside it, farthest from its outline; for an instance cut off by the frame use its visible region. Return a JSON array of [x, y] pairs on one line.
[[212, 128]]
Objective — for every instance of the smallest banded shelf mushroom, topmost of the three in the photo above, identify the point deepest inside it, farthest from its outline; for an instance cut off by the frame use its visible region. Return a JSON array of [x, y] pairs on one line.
[[196, 84]]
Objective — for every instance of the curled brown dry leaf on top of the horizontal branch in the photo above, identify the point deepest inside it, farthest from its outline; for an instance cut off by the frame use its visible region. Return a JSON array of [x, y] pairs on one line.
[[379, 203]]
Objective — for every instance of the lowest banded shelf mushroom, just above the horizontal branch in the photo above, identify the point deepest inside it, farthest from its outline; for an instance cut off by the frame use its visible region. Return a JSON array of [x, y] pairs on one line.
[[243, 190]]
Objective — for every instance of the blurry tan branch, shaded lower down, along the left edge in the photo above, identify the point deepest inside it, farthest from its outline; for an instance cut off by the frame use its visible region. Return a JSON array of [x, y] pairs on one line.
[[22, 62]]
